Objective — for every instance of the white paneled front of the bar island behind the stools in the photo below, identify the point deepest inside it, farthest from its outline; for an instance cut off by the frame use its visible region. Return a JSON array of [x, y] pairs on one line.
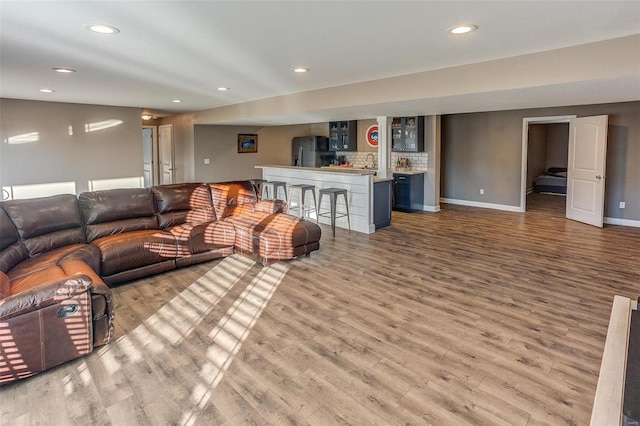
[[358, 183]]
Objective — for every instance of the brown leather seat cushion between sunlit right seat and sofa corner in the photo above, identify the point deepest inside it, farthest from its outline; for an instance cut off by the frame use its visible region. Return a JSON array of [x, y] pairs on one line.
[[131, 250]]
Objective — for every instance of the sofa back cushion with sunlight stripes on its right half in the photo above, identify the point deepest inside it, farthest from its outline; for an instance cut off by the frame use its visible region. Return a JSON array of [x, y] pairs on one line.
[[182, 203]]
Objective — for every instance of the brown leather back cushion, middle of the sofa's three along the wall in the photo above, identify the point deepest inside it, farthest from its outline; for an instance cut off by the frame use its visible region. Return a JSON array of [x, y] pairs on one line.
[[116, 211]]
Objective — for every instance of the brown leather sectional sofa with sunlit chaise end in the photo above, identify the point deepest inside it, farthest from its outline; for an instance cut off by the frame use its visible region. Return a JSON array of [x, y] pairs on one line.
[[59, 254]]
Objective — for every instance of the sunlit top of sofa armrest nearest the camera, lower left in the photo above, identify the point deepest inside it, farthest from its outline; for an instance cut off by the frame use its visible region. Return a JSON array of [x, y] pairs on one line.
[[45, 295]]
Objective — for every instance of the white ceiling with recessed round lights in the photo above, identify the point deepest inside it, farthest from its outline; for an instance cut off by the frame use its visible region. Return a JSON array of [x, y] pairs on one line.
[[184, 50]]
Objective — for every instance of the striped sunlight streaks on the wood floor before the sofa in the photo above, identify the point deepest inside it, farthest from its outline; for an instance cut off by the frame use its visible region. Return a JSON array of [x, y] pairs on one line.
[[157, 339]]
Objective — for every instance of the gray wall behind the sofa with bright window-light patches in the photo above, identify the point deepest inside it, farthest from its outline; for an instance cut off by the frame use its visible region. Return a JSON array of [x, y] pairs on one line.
[[57, 155]]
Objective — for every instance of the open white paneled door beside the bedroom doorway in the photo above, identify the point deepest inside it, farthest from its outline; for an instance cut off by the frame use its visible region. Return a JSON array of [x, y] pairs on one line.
[[586, 169]]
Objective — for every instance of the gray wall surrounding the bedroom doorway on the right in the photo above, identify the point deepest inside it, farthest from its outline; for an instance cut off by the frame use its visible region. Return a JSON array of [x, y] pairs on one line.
[[483, 150]]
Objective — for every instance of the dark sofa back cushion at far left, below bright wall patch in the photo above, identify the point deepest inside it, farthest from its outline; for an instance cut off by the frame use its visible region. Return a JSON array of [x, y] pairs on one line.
[[46, 223]]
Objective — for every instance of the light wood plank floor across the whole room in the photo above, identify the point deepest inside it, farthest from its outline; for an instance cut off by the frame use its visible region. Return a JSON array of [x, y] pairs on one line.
[[467, 316]]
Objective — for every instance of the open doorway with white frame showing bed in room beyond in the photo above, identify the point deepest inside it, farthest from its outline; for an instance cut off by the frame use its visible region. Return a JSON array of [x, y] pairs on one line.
[[545, 145]]
